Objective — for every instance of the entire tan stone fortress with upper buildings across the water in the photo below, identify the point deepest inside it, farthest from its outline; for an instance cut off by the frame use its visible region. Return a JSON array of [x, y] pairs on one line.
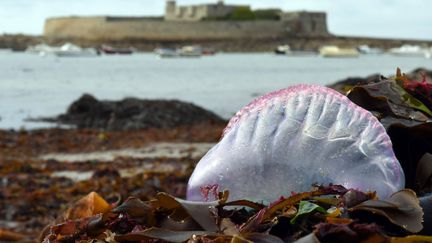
[[209, 22]]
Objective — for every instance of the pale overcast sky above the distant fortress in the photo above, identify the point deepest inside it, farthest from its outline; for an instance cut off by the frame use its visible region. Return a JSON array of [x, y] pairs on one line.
[[374, 18]]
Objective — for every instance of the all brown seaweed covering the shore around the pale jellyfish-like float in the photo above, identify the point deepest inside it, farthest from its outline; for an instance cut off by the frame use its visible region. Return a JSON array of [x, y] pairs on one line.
[[148, 207]]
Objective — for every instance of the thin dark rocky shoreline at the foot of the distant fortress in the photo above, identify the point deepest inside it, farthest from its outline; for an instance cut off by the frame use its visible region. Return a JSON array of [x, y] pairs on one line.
[[20, 42]]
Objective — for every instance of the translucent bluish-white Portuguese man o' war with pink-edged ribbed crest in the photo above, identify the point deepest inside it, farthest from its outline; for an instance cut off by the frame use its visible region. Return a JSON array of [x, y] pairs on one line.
[[287, 140]]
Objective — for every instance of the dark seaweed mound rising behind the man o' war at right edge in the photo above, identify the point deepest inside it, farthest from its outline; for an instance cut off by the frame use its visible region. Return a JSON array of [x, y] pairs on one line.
[[403, 106]]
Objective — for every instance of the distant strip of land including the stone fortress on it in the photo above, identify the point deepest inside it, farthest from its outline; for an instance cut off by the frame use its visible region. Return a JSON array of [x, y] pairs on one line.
[[230, 28]]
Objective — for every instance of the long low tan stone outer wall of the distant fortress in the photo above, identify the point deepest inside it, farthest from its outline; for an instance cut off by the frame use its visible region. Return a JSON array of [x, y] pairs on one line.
[[102, 28]]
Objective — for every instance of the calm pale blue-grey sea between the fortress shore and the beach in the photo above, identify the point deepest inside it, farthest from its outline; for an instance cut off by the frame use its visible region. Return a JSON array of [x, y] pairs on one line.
[[33, 86]]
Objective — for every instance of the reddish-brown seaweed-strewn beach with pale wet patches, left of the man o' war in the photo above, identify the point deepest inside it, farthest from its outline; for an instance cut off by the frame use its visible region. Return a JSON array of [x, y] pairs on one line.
[[43, 171]]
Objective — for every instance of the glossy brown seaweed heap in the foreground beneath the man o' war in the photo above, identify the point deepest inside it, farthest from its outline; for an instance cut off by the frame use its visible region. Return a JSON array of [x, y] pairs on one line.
[[170, 219]]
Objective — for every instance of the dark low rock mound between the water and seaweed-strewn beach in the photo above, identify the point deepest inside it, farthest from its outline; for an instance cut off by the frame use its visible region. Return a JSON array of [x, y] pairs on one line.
[[134, 114]]
